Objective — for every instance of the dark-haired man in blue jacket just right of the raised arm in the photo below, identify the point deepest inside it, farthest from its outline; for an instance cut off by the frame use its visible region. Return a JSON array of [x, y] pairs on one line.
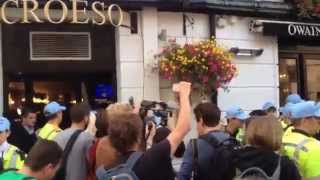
[[208, 119]]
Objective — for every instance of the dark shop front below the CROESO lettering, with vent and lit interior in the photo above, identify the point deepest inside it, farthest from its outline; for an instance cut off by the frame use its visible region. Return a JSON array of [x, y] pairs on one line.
[[64, 63]]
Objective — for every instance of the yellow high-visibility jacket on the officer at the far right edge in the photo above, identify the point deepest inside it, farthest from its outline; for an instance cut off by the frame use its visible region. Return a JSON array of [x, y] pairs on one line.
[[305, 151]]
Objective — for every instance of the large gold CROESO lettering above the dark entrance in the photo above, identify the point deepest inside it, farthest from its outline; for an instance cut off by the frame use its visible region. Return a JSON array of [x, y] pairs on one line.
[[56, 12]]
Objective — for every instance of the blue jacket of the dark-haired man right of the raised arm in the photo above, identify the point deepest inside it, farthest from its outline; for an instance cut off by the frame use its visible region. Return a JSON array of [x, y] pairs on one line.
[[205, 154]]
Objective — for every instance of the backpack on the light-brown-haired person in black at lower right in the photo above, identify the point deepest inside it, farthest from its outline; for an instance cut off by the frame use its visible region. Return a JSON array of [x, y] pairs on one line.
[[255, 173]]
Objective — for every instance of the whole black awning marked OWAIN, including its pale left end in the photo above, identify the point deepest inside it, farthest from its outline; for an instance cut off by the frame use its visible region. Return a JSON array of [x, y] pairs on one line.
[[287, 29]]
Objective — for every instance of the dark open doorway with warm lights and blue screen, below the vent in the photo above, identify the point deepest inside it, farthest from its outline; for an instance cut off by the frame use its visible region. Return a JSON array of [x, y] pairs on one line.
[[37, 90]]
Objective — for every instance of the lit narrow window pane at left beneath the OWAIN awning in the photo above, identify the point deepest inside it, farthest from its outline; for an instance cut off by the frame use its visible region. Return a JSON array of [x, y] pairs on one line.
[[288, 78]]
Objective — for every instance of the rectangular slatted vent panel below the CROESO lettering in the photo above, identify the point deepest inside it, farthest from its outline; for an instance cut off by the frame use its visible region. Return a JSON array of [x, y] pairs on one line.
[[60, 46]]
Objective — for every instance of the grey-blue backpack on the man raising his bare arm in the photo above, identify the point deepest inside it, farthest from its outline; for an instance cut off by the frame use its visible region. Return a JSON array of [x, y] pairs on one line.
[[121, 172]]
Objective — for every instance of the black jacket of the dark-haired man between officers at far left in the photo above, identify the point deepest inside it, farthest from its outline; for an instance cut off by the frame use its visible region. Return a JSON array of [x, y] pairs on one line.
[[21, 138]]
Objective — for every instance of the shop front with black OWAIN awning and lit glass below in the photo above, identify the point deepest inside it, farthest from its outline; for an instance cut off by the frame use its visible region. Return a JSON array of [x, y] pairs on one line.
[[299, 57]]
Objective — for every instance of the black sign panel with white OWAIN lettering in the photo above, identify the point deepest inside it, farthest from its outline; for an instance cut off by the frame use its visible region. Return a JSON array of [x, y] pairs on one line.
[[292, 30]]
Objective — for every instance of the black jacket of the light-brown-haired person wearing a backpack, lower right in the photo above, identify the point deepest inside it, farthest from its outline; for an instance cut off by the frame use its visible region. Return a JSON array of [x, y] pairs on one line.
[[248, 157]]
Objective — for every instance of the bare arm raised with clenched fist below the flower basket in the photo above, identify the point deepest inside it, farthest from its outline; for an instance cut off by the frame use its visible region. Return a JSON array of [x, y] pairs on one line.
[[184, 117]]
